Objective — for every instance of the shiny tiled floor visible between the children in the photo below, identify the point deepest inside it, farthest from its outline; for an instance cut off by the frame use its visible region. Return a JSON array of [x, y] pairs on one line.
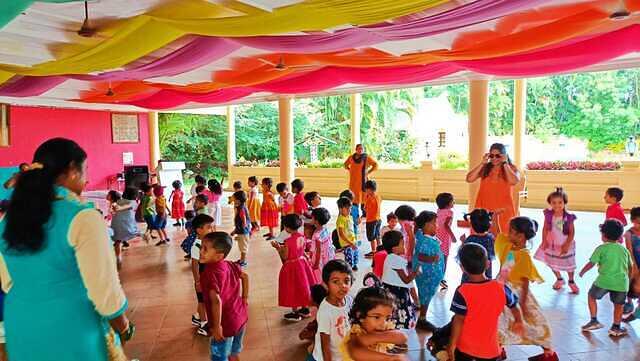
[[159, 286]]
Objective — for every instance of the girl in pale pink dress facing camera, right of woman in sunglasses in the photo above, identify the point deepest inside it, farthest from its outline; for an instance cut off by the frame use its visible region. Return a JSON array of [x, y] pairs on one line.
[[558, 248]]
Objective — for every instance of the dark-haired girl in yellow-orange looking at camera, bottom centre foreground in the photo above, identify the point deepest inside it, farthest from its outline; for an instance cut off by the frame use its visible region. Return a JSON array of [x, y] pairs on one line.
[[371, 336]]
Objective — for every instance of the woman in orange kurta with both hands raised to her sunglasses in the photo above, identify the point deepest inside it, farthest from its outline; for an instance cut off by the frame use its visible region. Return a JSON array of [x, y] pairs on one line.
[[497, 177]]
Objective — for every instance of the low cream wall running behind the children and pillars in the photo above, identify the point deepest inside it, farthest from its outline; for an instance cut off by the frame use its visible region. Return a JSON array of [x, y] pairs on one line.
[[585, 188]]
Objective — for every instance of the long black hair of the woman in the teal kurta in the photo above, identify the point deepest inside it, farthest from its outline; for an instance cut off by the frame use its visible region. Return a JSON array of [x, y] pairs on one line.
[[30, 205]]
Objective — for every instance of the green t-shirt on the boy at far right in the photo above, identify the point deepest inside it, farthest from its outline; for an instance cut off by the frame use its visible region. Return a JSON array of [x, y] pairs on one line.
[[613, 261]]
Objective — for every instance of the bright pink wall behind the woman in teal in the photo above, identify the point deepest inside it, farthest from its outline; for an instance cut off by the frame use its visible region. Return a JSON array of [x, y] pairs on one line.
[[30, 126]]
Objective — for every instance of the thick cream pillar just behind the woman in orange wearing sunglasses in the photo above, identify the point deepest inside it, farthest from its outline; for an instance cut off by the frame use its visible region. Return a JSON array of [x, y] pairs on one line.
[[478, 128]]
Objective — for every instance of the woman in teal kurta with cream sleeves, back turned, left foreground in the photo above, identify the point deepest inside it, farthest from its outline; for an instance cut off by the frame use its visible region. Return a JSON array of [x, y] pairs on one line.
[[64, 299]]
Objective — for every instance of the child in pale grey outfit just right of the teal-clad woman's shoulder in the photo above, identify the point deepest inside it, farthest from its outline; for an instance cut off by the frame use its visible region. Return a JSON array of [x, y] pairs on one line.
[[123, 222]]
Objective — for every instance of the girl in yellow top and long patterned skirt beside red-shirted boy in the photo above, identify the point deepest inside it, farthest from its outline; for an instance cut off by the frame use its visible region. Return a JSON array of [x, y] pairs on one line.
[[517, 271]]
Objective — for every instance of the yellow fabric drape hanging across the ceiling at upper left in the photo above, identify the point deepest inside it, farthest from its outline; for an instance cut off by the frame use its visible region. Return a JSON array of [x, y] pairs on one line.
[[136, 37]]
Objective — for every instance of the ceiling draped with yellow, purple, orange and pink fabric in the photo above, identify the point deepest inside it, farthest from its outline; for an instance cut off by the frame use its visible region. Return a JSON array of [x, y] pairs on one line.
[[160, 54]]
